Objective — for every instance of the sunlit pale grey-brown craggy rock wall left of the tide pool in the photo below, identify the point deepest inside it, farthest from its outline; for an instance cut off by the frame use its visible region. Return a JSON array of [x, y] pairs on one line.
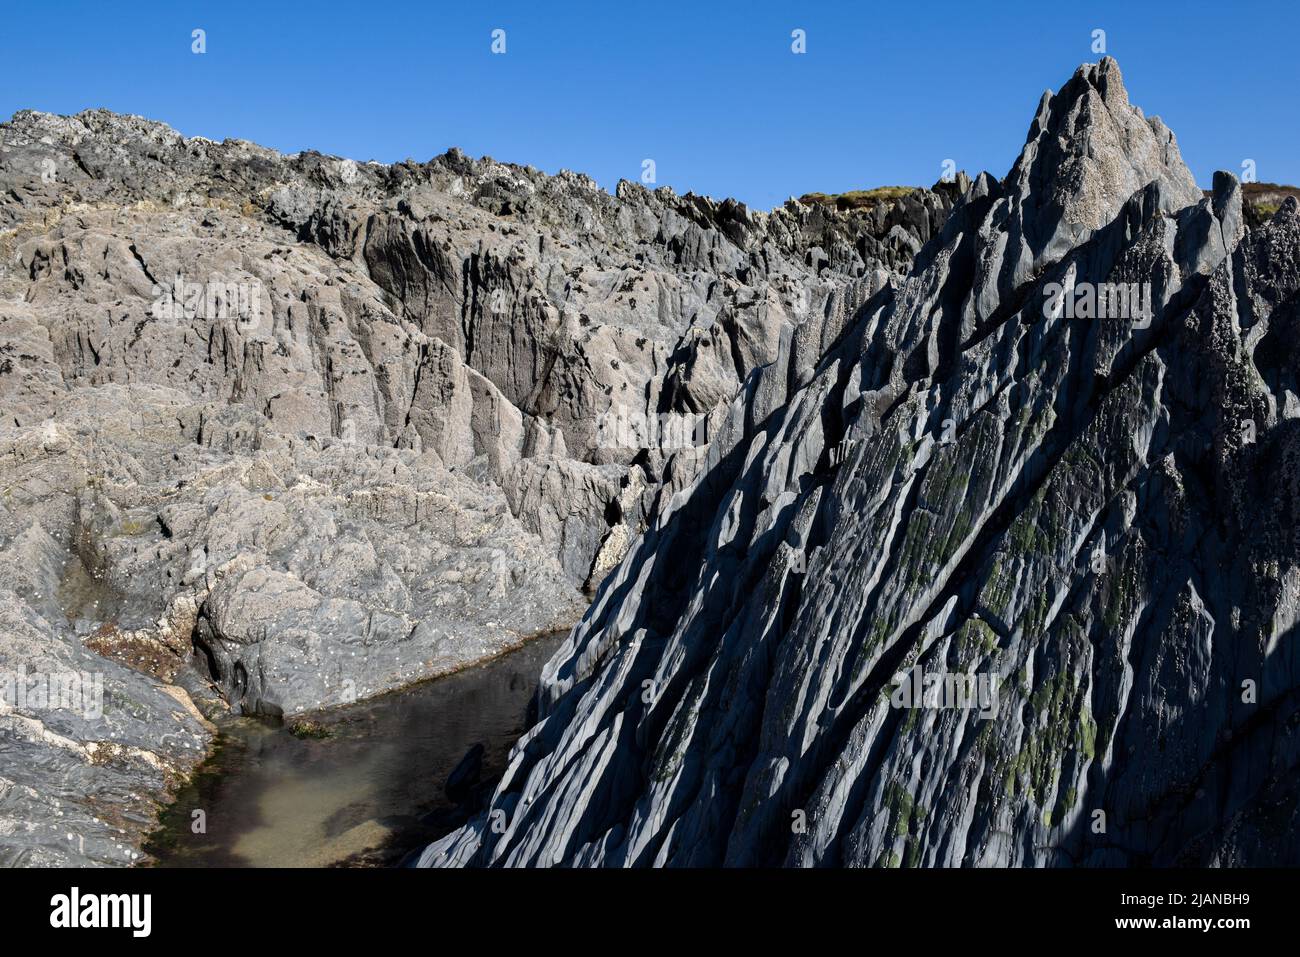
[[315, 430]]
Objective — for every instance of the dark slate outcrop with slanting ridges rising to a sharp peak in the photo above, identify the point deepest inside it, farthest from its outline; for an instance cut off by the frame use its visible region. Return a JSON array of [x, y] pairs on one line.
[[1093, 518]]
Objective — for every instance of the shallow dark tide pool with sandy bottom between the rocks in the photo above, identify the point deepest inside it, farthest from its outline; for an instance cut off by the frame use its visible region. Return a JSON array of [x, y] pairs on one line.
[[370, 793]]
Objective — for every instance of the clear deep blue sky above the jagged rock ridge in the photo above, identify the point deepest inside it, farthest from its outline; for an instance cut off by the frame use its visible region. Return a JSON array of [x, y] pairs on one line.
[[710, 92]]
